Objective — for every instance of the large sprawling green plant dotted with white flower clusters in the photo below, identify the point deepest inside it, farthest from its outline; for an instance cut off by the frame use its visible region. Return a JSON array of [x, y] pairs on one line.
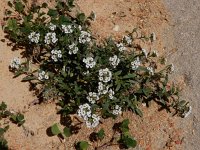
[[63, 61]]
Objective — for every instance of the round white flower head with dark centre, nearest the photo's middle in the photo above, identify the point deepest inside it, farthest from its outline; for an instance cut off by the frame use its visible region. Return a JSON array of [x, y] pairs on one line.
[[105, 75]]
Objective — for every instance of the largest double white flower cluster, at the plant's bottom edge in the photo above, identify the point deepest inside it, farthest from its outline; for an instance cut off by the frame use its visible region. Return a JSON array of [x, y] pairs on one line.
[[92, 120]]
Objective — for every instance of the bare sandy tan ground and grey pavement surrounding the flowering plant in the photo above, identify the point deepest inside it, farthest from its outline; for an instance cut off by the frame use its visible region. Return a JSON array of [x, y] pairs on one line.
[[176, 24]]
